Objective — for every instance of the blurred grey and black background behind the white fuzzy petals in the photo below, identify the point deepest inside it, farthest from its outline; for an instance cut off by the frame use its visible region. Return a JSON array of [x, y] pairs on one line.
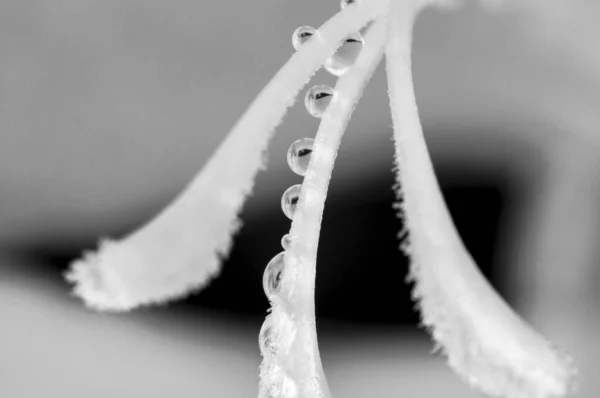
[[108, 108]]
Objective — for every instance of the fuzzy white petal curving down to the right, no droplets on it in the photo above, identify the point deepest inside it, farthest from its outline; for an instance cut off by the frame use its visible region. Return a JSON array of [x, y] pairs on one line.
[[485, 341]]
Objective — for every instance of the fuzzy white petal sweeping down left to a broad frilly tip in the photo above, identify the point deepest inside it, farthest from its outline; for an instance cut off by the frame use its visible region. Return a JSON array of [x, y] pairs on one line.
[[181, 248]]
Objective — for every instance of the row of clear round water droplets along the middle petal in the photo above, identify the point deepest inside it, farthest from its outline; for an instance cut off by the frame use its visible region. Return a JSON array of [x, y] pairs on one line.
[[277, 331]]
